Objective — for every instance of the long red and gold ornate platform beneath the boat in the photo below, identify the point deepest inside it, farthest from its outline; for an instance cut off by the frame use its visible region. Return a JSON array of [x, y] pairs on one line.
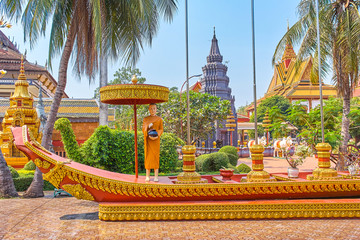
[[213, 210]]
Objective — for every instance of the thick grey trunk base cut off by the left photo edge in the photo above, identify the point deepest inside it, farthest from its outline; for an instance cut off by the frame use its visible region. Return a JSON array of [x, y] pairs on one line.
[[7, 188]]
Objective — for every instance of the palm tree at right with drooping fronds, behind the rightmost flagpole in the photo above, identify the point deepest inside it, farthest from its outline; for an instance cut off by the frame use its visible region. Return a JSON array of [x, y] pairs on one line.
[[339, 37]]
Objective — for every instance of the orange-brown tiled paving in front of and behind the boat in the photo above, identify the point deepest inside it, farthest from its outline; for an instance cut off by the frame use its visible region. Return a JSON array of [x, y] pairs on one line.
[[69, 218]]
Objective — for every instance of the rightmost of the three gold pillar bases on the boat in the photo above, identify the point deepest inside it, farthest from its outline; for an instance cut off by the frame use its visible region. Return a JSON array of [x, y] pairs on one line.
[[323, 171]]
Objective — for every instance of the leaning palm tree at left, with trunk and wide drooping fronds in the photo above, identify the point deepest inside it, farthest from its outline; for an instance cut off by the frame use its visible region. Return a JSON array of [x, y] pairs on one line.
[[119, 27]]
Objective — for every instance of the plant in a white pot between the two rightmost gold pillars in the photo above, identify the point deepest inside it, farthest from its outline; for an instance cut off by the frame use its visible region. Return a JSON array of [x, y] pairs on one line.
[[301, 152]]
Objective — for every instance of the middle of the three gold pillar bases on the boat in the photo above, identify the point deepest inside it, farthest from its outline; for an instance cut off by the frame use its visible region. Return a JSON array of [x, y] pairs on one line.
[[257, 174]]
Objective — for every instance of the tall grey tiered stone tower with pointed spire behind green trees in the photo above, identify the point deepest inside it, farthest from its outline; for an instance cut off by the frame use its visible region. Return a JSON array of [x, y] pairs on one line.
[[216, 82]]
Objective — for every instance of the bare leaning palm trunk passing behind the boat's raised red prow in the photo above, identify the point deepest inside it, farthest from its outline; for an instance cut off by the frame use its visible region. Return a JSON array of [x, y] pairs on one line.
[[36, 187]]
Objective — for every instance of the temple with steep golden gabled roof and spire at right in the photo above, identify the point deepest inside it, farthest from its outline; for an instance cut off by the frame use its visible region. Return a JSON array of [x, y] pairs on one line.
[[294, 84]]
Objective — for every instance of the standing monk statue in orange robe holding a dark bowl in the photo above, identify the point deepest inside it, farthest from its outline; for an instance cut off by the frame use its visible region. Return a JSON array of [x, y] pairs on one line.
[[152, 129]]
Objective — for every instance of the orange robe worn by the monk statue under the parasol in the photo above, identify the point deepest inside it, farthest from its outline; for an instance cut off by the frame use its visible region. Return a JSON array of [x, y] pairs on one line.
[[152, 147]]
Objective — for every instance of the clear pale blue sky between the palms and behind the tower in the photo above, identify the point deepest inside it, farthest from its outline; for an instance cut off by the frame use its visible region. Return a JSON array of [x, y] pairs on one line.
[[164, 62]]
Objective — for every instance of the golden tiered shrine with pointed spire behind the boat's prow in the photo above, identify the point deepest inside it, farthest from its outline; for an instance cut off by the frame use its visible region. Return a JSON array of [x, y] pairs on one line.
[[21, 112]]
